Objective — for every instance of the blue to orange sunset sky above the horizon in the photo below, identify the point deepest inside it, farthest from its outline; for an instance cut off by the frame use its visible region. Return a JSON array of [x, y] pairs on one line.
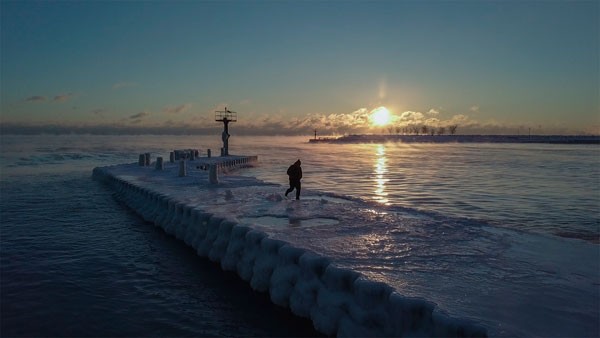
[[289, 67]]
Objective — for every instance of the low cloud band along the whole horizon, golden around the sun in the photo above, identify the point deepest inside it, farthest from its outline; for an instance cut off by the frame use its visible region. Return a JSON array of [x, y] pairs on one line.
[[270, 125]]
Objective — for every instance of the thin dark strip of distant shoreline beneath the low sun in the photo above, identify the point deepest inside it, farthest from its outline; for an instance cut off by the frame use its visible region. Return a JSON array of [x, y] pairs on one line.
[[553, 139]]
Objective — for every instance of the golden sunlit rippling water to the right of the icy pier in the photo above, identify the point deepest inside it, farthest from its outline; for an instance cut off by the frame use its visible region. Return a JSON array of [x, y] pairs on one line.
[[531, 187]]
